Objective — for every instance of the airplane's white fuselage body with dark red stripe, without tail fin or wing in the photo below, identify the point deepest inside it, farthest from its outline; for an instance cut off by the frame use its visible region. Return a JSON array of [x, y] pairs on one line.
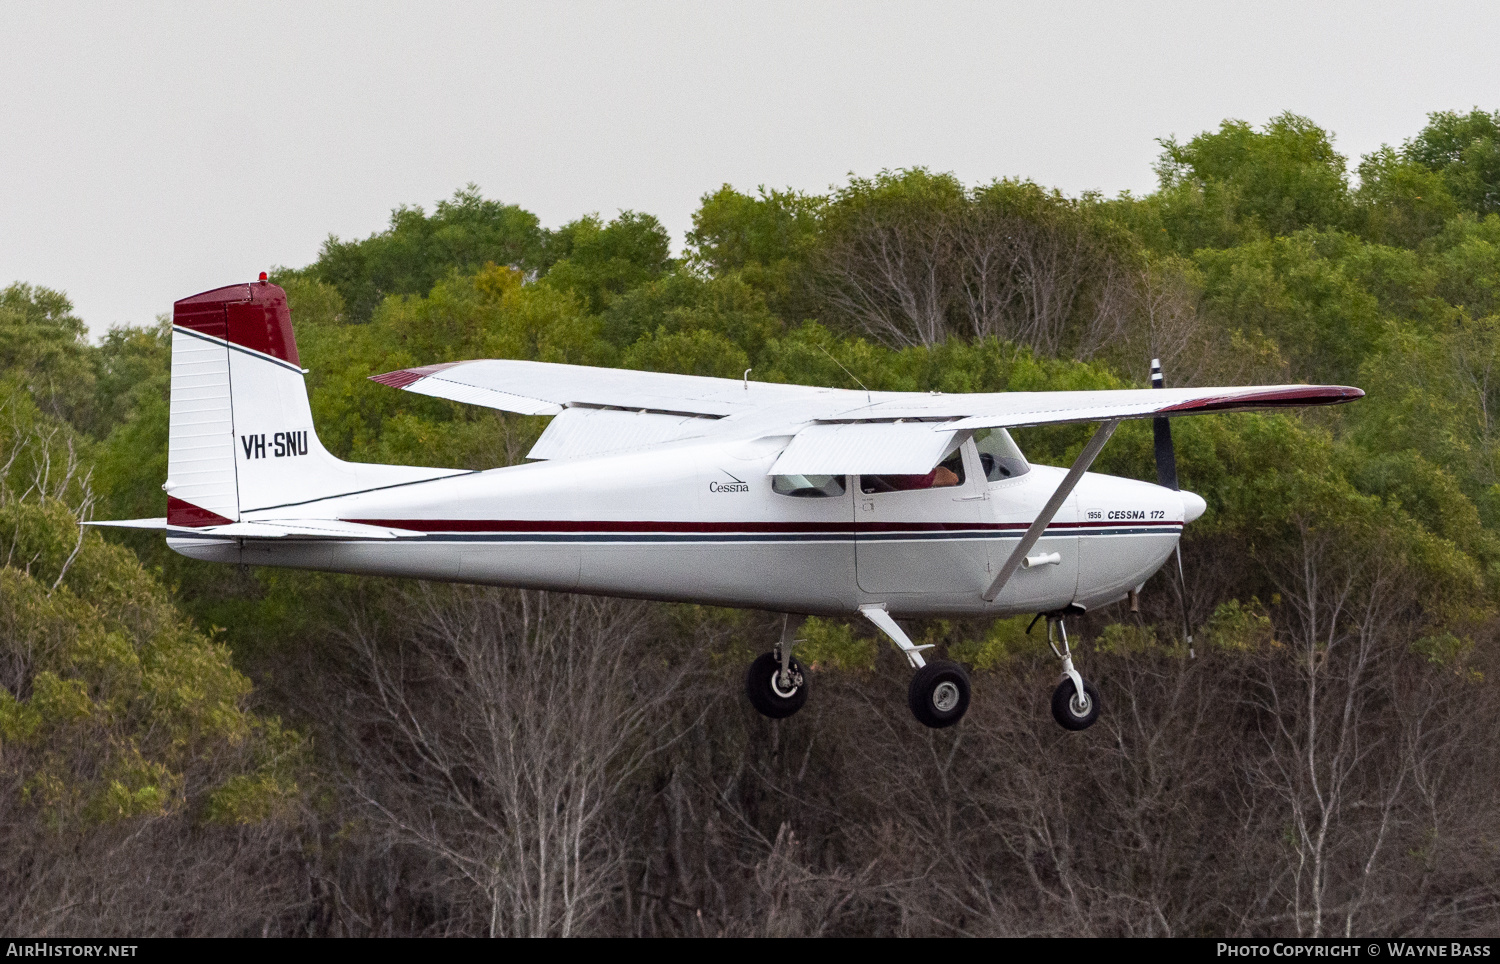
[[698, 522]]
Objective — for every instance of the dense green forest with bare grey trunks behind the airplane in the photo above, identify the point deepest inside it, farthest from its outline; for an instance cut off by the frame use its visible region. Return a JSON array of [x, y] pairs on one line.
[[200, 750]]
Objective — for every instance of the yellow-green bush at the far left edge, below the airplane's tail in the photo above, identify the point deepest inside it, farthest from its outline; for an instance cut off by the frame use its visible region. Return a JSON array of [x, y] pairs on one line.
[[113, 707]]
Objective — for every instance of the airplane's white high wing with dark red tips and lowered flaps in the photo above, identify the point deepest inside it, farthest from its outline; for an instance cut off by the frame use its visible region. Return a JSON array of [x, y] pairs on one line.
[[836, 430]]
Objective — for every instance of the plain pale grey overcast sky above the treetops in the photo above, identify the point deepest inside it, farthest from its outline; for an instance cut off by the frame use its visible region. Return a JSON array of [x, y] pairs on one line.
[[152, 151]]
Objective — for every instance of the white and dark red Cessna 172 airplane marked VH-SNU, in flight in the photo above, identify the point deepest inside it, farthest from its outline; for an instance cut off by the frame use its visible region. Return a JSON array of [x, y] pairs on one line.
[[730, 492]]
